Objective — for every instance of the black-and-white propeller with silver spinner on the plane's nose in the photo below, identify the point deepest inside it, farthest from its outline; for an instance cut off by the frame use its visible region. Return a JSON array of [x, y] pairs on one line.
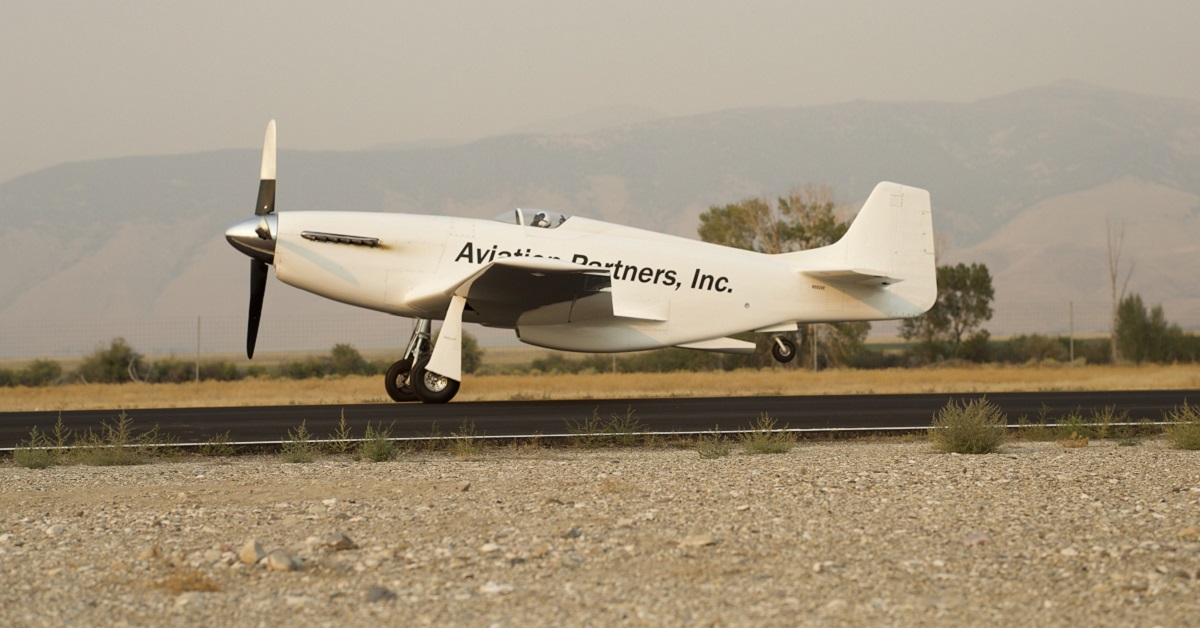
[[256, 238]]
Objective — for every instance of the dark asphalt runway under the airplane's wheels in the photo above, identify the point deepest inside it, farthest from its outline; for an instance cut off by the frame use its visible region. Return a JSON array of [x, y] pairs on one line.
[[266, 424]]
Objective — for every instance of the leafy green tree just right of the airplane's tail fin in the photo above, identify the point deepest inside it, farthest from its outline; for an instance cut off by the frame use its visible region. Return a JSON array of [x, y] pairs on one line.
[[964, 304]]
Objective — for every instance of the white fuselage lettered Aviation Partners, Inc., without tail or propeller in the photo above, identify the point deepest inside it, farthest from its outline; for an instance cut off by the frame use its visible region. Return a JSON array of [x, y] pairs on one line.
[[688, 290]]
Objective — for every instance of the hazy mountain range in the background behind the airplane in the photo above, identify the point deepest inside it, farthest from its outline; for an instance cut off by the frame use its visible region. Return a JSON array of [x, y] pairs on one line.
[[1021, 182]]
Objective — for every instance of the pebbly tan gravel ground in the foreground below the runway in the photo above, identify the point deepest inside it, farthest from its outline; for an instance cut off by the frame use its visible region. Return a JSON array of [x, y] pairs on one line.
[[827, 535]]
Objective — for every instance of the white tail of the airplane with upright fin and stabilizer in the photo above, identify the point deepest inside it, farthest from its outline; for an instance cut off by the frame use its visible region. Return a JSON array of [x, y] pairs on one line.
[[890, 247]]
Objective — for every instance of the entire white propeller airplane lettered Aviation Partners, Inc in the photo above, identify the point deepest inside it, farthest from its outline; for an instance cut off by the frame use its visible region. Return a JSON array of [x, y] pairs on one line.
[[573, 284]]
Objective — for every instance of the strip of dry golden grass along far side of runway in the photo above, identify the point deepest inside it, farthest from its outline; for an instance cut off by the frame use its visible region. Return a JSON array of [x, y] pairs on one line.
[[613, 386]]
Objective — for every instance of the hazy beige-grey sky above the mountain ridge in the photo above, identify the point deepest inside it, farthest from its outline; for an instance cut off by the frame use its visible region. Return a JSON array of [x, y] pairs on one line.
[[87, 80]]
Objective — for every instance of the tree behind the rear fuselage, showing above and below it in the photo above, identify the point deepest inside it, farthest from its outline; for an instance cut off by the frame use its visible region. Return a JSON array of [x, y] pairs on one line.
[[805, 219]]
